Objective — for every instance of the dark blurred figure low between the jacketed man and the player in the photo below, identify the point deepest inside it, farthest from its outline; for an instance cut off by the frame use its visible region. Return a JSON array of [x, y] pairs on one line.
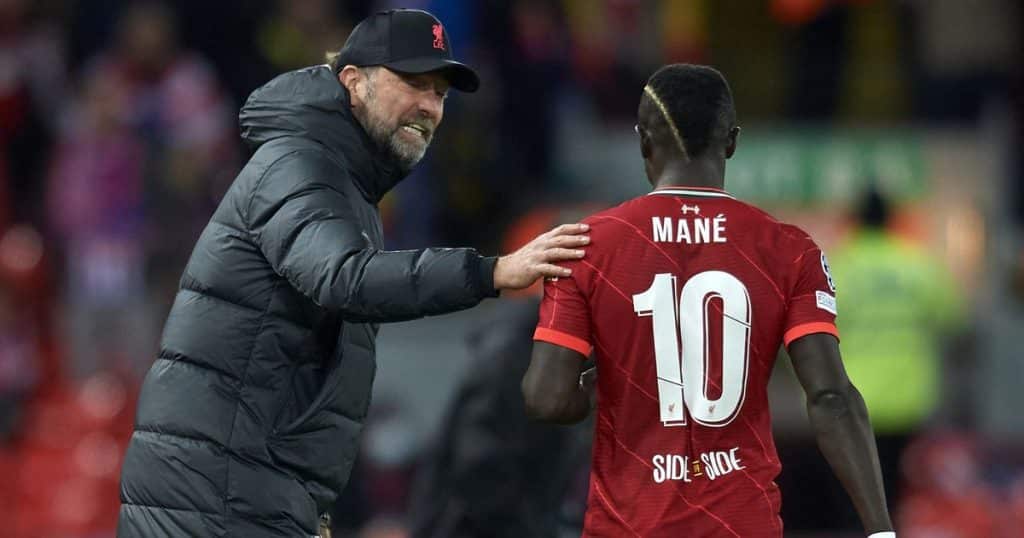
[[494, 473]]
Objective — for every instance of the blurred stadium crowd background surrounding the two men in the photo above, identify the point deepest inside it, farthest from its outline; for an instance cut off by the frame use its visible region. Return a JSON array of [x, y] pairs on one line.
[[889, 130]]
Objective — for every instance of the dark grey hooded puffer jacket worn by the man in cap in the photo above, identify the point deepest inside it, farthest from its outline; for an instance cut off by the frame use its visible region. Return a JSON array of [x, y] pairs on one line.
[[249, 421]]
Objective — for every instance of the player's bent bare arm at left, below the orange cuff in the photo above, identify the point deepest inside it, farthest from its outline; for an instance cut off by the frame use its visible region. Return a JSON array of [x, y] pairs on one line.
[[552, 387]]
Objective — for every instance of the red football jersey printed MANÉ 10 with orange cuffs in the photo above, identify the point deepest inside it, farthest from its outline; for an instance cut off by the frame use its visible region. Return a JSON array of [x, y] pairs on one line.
[[686, 297]]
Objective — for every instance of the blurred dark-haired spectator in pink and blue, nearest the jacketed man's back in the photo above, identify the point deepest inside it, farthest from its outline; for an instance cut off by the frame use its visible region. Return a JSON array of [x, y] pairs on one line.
[[175, 103]]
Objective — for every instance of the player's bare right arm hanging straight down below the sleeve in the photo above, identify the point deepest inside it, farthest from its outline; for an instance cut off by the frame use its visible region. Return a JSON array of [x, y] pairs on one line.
[[839, 419]]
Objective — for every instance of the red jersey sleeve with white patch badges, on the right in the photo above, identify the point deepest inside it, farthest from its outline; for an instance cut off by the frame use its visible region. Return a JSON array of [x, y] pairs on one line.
[[812, 308]]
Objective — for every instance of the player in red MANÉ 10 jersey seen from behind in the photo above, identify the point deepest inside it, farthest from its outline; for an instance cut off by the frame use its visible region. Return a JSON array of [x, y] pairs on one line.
[[685, 299]]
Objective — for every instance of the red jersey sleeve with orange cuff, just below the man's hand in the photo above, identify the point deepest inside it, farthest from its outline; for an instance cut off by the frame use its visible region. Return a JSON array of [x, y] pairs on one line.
[[565, 317]]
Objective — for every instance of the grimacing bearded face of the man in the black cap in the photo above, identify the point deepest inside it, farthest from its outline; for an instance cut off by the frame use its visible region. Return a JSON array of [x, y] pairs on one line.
[[401, 111]]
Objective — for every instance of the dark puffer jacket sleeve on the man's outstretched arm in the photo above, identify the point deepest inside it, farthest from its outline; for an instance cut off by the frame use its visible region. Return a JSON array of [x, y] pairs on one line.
[[309, 231]]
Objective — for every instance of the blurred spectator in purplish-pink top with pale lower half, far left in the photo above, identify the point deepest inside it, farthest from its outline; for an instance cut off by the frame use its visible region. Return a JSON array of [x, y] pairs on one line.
[[96, 208]]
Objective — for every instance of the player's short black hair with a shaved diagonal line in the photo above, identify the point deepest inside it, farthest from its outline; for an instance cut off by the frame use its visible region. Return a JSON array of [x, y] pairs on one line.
[[697, 102]]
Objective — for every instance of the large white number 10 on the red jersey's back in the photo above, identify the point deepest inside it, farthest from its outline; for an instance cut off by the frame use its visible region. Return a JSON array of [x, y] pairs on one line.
[[686, 323]]
